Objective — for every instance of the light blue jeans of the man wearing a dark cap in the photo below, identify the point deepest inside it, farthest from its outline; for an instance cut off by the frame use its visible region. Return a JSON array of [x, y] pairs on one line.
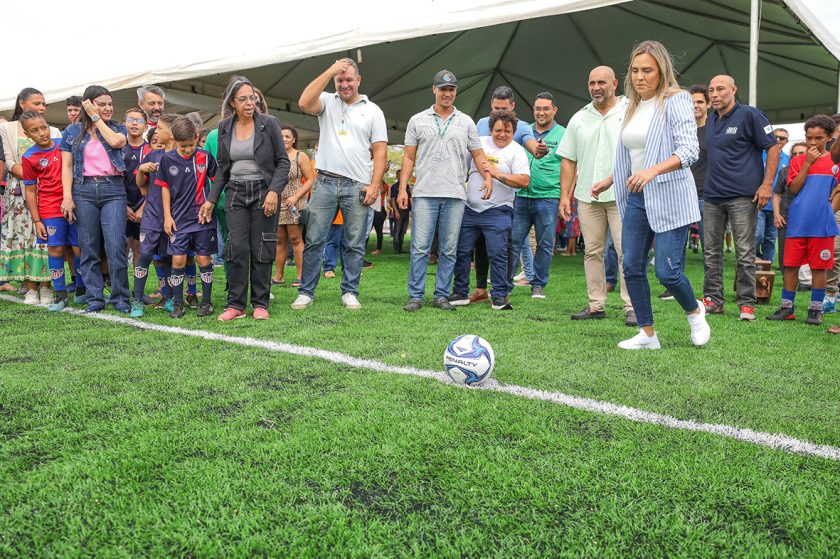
[[427, 215]]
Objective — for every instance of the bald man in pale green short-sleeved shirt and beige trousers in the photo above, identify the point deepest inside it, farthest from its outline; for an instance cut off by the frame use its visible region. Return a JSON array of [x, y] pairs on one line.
[[588, 151]]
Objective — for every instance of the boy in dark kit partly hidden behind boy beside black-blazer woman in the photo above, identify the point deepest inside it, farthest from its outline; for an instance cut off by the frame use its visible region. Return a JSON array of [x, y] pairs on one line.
[[153, 243]]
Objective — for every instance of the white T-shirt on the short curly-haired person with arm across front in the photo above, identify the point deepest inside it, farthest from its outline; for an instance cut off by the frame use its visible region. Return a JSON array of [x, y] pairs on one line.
[[510, 160]]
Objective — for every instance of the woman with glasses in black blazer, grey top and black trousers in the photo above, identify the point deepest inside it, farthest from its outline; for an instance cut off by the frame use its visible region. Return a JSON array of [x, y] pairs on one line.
[[253, 168]]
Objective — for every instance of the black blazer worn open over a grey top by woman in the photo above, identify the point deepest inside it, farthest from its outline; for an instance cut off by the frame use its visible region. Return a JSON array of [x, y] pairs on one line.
[[269, 153]]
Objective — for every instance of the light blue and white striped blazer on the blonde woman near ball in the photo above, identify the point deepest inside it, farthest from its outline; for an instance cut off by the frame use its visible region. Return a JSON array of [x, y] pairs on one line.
[[670, 198]]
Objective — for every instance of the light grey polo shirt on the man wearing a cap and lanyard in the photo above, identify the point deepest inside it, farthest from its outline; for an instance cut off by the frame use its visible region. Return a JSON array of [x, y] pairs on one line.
[[443, 153]]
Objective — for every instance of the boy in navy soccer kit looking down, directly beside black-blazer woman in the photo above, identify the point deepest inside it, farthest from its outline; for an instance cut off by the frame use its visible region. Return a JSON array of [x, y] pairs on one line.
[[183, 175]]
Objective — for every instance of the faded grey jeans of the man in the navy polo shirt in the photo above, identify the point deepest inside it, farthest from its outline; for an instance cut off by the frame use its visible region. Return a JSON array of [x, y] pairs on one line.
[[741, 214]]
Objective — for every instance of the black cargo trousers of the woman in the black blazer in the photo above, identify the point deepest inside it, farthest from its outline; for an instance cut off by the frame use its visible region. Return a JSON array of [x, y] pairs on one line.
[[252, 244]]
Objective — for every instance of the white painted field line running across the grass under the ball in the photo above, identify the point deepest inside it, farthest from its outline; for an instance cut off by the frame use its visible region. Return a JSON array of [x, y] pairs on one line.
[[776, 441]]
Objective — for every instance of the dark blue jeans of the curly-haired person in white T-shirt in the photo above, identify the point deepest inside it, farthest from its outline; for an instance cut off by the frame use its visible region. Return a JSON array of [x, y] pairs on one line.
[[494, 225]]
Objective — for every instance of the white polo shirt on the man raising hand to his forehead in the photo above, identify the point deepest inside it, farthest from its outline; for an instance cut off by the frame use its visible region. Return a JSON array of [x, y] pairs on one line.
[[347, 132]]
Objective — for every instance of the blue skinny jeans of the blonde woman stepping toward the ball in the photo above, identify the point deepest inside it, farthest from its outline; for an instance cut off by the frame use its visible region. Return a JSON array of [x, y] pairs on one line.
[[636, 240]]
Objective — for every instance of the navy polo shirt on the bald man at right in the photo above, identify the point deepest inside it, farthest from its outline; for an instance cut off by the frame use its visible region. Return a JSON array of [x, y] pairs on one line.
[[734, 147]]
